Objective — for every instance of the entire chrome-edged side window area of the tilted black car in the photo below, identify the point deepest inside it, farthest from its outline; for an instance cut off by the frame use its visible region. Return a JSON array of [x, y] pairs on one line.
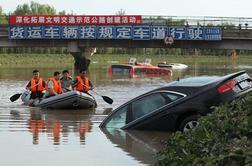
[[139, 108]]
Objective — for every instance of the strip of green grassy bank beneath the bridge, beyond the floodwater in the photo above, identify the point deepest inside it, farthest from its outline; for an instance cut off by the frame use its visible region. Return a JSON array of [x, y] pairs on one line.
[[66, 60]]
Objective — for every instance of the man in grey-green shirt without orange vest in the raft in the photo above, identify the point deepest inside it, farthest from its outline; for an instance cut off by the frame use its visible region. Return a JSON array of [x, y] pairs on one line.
[[66, 81]]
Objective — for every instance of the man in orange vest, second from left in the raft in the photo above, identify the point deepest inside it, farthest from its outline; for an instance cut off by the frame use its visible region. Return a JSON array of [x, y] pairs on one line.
[[53, 85]]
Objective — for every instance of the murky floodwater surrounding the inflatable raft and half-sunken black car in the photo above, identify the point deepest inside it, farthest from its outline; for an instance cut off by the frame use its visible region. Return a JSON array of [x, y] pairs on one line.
[[32, 136]]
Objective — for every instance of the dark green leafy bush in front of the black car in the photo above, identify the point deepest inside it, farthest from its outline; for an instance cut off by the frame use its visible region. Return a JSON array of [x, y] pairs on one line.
[[224, 137]]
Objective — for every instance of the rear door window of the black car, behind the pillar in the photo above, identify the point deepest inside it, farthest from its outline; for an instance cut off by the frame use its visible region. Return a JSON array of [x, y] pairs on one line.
[[147, 104]]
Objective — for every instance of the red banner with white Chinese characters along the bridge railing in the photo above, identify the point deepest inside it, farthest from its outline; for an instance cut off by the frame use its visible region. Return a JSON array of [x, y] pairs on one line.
[[75, 20]]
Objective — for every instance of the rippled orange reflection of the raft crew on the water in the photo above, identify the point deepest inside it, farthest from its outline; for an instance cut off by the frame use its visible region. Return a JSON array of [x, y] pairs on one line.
[[57, 124]]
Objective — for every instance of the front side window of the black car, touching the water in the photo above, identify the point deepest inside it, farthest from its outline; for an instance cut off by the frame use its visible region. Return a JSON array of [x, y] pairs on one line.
[[118, 119]]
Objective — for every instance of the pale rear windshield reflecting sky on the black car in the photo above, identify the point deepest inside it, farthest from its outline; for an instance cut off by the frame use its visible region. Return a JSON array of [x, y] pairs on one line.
[[195, 81]]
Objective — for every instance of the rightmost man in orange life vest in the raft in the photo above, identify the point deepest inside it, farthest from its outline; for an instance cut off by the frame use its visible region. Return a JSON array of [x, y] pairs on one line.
[[82, 83]]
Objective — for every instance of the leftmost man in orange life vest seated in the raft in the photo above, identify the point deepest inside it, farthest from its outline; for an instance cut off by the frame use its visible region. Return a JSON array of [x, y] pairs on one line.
[[36, 85]]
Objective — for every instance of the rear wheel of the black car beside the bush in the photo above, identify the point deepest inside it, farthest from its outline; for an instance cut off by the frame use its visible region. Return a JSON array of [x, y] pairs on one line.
[[189, 123]]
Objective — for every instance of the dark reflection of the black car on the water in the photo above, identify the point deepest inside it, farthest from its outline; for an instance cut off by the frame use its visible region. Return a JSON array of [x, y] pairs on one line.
[[142, 145]]
